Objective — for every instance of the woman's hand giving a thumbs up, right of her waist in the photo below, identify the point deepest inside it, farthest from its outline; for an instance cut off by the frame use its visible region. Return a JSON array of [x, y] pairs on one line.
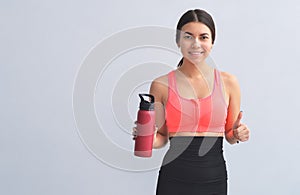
[[240, 130]]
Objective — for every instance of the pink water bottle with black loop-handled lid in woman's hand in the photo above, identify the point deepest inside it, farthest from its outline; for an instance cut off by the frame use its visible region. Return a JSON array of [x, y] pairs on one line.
[[145, 127]]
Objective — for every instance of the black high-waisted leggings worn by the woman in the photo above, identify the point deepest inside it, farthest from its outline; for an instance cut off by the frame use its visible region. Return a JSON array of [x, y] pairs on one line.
[[193, 165]]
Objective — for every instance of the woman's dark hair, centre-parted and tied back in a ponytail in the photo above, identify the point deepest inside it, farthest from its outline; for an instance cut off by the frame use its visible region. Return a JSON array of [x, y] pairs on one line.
[[196, 15]]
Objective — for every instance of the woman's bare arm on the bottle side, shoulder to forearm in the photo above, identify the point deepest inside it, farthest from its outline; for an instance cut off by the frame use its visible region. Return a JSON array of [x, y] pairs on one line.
[[159, 89]]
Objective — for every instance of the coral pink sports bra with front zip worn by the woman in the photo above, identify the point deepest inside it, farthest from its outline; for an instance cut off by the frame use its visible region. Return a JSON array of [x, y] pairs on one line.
[[196, 115]]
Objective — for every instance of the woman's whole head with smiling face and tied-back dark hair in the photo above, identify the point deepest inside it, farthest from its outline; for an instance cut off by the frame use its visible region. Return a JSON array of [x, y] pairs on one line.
[[195, 32]]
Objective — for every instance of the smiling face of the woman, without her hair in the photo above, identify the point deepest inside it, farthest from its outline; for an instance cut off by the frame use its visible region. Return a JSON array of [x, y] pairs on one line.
[[195, 42]]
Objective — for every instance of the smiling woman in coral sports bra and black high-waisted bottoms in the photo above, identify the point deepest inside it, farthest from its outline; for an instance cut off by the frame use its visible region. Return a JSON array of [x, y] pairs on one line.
[[196, 107]]
